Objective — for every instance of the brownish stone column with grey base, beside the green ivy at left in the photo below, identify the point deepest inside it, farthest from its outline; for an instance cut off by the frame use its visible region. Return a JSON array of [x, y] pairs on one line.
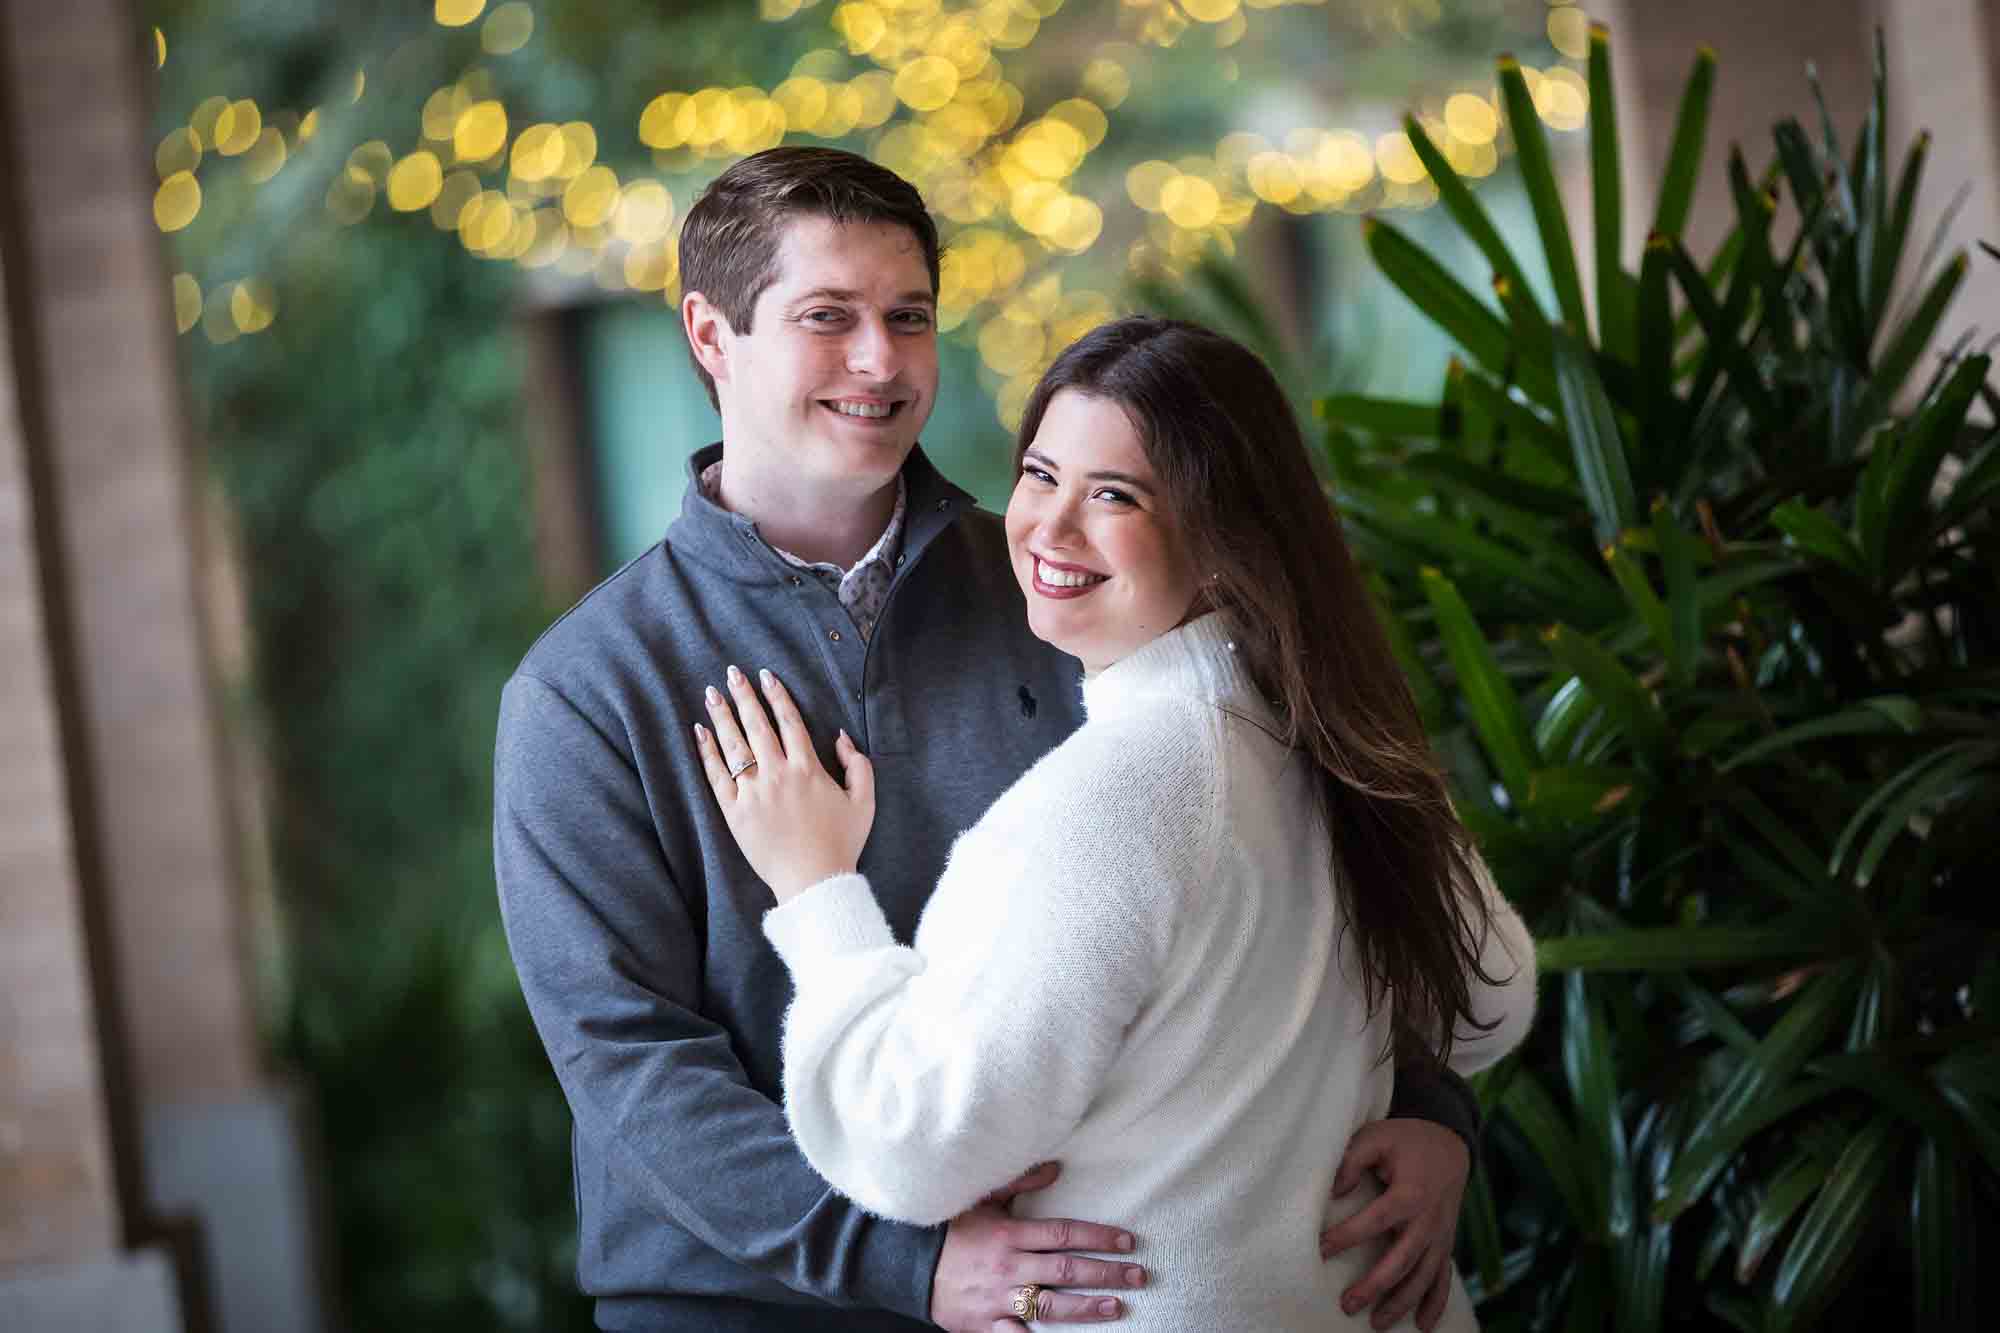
[[215, 1142]]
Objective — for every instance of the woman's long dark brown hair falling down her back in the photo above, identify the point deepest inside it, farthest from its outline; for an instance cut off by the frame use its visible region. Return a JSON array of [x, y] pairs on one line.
[[1239, 481]]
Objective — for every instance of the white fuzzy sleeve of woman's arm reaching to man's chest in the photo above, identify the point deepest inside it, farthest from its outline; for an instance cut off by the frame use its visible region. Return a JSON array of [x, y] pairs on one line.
[[923, 1078]]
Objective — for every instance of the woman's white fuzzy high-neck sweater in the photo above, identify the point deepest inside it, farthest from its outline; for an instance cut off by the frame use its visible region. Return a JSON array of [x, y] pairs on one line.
[[1131, 968]]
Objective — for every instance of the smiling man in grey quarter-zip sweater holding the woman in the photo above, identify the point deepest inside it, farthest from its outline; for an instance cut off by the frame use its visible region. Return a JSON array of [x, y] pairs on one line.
[[821, 543]]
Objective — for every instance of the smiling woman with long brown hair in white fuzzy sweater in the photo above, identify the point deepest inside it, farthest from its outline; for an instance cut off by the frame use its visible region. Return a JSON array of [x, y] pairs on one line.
[[1175, 952]]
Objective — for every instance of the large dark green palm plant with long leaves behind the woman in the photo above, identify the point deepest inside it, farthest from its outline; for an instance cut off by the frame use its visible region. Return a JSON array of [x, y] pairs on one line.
[[1699, 587]]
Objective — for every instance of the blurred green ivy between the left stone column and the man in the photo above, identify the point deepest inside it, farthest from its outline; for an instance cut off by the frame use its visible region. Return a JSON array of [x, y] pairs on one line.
[[379, 485]]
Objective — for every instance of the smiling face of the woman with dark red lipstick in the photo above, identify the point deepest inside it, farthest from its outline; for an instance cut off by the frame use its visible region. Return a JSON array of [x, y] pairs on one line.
[[1095, 547]]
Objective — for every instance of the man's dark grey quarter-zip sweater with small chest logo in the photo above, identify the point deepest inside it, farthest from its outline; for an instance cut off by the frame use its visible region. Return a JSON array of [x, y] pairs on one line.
[[637, 926]]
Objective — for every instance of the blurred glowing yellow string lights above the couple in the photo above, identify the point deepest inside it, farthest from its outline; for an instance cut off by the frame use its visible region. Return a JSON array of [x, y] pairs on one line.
[[925, 87]]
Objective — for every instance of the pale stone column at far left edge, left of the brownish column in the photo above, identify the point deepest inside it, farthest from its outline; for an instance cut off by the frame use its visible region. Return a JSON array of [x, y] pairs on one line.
[[63, 1214]]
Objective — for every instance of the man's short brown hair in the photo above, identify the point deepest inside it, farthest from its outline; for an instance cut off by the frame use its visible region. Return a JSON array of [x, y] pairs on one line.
[[729, 243]]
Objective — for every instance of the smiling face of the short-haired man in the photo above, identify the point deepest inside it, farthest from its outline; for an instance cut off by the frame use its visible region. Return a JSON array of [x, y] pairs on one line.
[[841, 369]]
